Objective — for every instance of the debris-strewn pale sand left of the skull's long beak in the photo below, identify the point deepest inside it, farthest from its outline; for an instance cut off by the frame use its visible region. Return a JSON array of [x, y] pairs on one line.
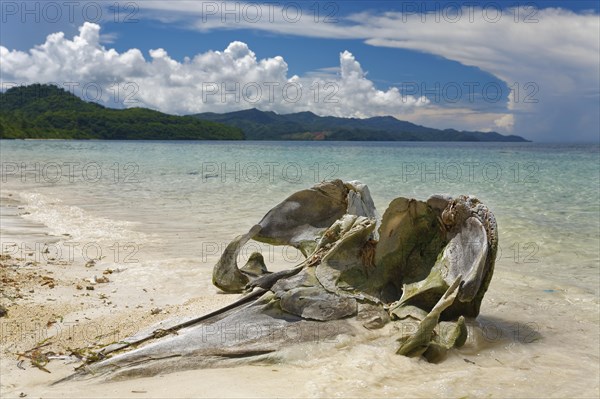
[[58, 310]]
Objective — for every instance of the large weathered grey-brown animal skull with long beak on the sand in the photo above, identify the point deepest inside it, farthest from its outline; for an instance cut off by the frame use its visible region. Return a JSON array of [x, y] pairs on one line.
[[425, 262]]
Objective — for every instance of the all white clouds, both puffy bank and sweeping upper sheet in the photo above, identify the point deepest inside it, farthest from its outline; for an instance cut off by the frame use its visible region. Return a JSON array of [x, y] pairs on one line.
[[553, 74]]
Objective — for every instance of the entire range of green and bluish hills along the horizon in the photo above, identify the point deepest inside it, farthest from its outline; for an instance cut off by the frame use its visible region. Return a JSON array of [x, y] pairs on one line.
[[48, 112]]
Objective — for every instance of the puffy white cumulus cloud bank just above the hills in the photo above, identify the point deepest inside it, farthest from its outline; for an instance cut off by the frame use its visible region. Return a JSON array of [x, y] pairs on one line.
[[215, 81]]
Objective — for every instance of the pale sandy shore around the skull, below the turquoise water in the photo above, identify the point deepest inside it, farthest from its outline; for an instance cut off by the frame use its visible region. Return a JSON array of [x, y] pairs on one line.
[[528, 338]]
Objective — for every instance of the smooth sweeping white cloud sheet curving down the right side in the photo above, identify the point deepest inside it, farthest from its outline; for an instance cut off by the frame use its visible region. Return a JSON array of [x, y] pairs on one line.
[[547, 56]]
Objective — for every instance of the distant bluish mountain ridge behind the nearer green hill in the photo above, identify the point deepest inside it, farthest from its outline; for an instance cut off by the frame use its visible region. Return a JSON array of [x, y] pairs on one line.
[[267, 125]]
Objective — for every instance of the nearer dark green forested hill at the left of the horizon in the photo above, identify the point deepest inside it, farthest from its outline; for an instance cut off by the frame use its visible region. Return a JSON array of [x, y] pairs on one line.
[[48, 112]]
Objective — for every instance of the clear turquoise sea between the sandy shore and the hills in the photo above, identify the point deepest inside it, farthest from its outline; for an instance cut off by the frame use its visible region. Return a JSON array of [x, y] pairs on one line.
[[545, 197]]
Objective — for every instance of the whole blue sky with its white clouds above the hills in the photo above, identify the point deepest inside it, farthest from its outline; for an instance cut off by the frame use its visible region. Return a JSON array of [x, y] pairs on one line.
[[516, 72]]
